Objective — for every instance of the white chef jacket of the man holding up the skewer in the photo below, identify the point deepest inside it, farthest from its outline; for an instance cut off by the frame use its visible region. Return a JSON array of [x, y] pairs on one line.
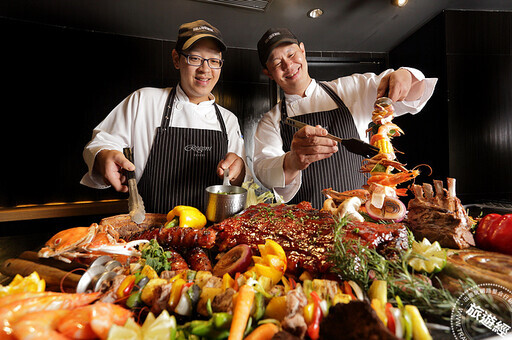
[[357, 91]]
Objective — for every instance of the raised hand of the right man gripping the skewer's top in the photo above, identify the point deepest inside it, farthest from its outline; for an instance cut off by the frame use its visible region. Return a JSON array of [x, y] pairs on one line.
[[400, 85]]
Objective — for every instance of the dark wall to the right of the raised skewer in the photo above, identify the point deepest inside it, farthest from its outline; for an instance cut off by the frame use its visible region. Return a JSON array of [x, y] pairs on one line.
[[465, 131]]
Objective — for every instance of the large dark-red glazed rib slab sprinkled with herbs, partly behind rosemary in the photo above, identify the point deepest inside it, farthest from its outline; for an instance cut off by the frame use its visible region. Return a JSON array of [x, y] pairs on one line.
[[306, 234]]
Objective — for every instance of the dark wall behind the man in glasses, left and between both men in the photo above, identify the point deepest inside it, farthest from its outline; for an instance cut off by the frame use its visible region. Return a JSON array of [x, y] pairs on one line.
[[59, 83]]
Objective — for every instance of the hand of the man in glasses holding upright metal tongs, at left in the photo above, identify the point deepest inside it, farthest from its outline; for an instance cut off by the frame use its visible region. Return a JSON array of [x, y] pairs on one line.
[[110, 165]]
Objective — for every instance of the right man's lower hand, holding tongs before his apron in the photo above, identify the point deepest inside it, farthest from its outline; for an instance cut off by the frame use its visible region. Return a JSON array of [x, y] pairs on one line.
[[308, 145]]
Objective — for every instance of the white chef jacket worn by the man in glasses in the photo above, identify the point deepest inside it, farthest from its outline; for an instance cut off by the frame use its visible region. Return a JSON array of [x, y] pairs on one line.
[[134, 122]]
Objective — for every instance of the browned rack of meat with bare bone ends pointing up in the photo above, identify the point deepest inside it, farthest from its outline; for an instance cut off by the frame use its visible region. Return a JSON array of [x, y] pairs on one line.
[[439, 216]]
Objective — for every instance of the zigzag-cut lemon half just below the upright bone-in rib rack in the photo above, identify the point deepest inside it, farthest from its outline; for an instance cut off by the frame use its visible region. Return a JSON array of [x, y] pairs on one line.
[[427, 257]]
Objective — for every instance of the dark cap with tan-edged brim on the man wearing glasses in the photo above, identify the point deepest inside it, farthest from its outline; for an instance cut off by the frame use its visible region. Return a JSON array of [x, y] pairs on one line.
[[191, 32]]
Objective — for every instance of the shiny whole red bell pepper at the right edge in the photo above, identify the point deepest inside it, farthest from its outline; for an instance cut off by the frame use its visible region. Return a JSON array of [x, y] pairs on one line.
[[494, 233]]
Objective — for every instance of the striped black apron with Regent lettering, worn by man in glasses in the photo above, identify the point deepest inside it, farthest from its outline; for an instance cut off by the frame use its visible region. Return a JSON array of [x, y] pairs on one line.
[[181, 164]]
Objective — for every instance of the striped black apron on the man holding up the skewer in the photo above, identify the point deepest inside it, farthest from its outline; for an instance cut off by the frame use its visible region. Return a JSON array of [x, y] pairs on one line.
[[341, 170]]
